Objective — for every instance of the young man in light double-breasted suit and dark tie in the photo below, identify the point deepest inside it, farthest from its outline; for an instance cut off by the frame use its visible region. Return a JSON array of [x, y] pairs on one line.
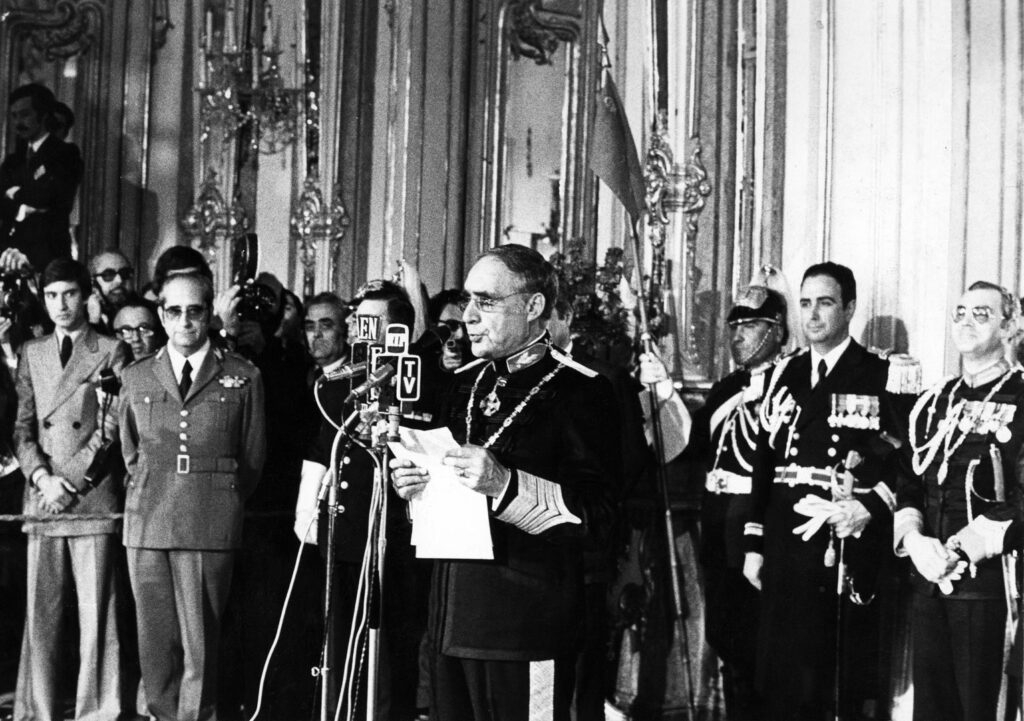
[[58, 433]]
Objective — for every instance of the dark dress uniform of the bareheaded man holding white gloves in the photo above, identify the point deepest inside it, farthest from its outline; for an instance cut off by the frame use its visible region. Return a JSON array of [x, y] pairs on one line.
[[804, 448]]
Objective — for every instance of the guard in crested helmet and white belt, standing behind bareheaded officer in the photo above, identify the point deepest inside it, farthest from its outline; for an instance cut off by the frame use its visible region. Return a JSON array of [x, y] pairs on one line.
[[724, 438]]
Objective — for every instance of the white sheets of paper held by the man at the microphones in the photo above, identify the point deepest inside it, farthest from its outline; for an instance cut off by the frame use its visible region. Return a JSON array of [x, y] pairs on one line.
[[449, 520]]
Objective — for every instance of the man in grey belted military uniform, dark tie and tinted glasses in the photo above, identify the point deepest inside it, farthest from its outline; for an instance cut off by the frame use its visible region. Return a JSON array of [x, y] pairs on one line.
[[194, 442]]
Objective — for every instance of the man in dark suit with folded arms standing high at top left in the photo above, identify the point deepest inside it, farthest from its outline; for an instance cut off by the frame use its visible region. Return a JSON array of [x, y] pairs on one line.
[[38, 183]]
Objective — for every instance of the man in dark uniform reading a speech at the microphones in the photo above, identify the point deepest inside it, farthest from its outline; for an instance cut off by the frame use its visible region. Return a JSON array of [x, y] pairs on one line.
[[539, 439]]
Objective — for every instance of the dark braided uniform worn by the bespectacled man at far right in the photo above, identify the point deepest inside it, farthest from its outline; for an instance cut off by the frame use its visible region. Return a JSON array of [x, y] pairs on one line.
[[962, 463]]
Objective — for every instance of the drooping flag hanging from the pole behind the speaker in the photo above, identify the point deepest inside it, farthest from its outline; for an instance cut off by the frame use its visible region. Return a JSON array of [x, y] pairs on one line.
[[613, 151]]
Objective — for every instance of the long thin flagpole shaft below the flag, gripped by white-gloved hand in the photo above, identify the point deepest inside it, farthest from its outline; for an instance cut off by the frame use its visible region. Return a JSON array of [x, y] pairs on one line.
[[675, 570]]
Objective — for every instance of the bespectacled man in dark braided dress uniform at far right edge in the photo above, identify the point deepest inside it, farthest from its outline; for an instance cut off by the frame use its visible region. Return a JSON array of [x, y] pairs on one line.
[[959, 491]]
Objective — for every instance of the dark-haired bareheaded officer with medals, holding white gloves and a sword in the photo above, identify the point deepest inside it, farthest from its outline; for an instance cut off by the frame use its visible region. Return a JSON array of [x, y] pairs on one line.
[[829, 425]]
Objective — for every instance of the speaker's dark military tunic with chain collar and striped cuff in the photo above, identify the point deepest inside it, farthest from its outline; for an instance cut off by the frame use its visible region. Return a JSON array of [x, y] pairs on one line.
[[527, 605]]
